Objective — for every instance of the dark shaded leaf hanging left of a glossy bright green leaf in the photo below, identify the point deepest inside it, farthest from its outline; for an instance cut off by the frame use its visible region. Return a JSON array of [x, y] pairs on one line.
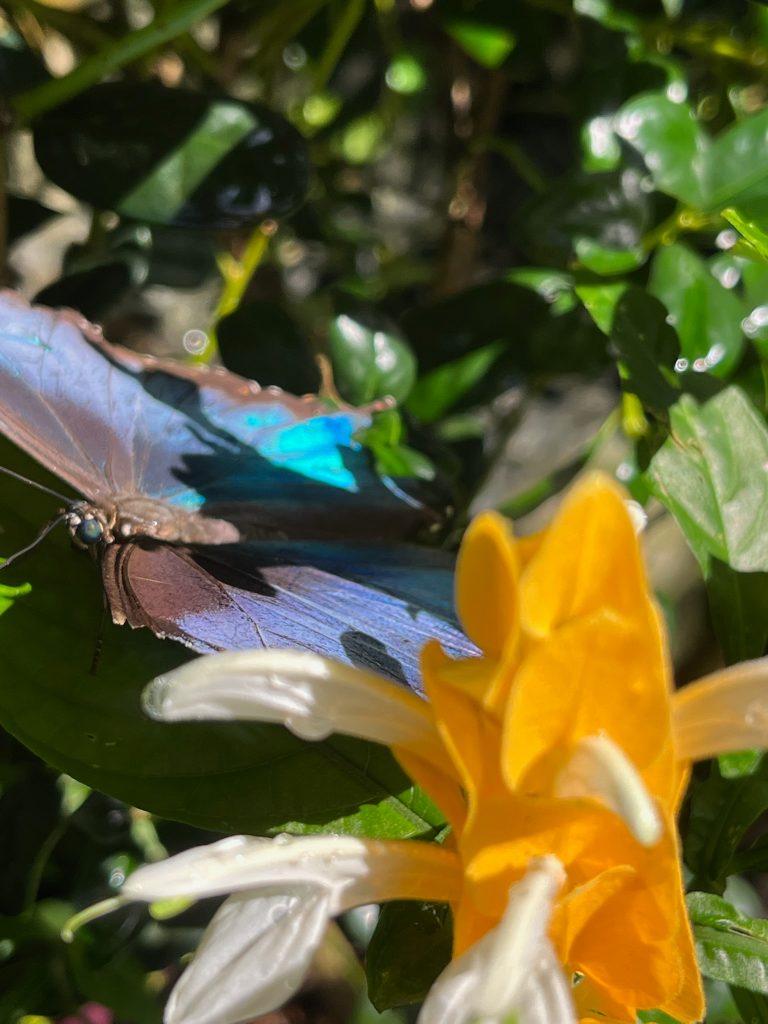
[[647, 346]]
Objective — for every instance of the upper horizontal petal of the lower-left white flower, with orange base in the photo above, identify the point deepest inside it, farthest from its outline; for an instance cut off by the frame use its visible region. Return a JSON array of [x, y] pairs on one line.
[[352, 872]]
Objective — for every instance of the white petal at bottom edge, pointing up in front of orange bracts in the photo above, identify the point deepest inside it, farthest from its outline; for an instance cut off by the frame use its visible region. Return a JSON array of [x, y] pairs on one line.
[[511, 971]]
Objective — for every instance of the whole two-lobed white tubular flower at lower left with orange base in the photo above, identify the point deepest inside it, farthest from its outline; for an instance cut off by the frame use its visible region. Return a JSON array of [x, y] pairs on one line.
[[261, 944]]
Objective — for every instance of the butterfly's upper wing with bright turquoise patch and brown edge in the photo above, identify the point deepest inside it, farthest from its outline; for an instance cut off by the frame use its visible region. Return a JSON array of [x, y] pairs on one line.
[[112, 422]]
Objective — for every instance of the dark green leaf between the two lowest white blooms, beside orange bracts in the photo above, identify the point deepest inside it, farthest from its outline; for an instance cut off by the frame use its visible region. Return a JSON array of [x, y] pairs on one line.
[[410, 948]]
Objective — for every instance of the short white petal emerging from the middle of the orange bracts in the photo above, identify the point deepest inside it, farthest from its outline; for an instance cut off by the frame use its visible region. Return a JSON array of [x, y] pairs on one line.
[[601, 771]]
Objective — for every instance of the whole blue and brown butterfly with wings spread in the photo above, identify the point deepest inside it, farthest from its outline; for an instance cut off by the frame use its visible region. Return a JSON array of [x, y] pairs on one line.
[[224, 516]]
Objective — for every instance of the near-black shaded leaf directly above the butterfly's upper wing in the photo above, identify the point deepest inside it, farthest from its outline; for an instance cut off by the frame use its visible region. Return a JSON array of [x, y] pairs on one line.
[[261, 342]]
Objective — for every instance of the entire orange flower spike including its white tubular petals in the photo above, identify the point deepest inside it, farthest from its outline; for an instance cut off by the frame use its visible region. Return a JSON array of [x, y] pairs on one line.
[[560, 757]]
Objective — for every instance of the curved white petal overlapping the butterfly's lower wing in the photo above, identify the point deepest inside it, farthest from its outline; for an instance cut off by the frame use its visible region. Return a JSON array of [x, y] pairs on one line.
[[314, 697]]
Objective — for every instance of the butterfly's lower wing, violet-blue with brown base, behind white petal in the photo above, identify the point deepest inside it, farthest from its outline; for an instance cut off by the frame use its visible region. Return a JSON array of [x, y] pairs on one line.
[[366, 606]]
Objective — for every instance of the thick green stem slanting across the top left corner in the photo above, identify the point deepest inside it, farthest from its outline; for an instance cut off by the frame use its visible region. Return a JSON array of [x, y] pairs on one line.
[[165, 27]]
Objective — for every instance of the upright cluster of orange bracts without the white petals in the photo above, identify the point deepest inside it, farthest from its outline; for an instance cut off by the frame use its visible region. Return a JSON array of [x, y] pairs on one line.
[[574, 648]]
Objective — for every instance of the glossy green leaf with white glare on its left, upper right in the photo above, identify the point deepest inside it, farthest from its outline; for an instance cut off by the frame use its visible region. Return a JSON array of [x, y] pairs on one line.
[[675, 150]]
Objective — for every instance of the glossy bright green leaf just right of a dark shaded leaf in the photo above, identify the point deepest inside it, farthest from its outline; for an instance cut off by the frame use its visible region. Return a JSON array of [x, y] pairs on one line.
[[706, 316]]
